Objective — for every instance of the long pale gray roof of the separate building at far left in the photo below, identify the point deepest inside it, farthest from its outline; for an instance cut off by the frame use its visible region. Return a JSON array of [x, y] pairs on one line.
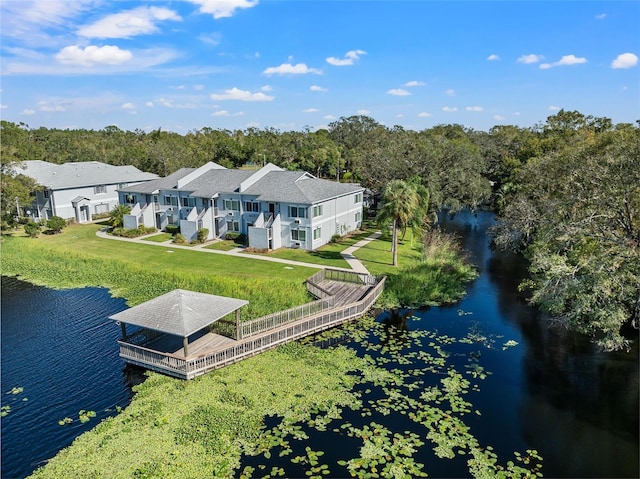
[[81, 174]]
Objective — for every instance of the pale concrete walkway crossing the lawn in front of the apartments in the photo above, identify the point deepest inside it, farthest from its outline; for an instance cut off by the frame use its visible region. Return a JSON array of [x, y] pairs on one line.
[[347, 254]]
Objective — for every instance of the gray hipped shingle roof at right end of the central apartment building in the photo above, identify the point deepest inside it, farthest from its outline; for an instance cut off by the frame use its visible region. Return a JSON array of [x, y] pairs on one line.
[[298, 187]]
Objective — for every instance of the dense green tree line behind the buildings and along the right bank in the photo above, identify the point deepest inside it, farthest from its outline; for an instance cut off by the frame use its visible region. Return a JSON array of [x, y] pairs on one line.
[[567, 191]]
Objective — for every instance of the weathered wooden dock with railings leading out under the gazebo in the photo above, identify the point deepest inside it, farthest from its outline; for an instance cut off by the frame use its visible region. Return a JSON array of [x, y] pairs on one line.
[[342, 296]]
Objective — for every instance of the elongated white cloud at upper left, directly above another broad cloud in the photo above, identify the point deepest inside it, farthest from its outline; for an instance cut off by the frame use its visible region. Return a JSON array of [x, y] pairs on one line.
[[129, 23]]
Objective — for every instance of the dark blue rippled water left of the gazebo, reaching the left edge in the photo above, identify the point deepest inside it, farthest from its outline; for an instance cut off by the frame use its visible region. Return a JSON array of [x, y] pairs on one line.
[[60, 347]]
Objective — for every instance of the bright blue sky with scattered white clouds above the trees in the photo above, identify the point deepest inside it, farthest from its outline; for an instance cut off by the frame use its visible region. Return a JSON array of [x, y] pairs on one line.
[[234, 64]]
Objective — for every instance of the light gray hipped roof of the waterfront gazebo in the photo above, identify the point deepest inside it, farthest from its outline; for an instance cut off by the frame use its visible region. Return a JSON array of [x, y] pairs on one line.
[[180, 312]]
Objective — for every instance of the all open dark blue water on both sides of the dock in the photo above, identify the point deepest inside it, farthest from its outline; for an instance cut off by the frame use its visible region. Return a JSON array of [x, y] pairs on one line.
[[551, 391]]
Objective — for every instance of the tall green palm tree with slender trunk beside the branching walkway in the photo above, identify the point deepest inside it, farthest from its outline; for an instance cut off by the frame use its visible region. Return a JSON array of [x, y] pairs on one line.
[[399, 205]]
